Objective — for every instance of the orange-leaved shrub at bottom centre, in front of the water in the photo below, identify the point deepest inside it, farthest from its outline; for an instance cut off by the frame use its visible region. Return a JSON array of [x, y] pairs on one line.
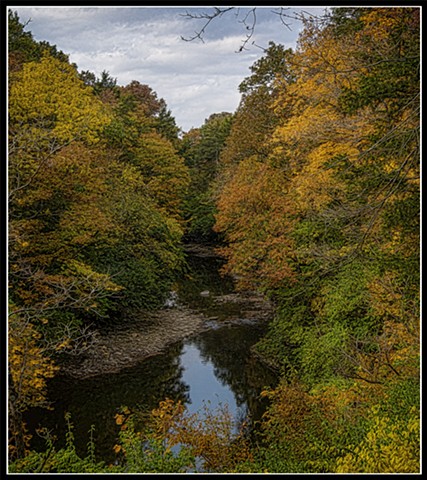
[[171, 431]]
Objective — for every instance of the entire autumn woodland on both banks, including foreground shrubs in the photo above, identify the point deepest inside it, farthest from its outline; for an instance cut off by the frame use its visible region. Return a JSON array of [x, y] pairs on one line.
[[310, 190]]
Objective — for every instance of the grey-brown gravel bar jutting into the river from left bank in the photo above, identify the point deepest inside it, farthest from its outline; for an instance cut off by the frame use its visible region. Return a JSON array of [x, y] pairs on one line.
[[150, 333]]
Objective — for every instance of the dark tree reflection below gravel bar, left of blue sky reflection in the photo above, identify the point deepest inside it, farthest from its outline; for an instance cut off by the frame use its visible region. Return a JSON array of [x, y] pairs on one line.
[[96, 400]]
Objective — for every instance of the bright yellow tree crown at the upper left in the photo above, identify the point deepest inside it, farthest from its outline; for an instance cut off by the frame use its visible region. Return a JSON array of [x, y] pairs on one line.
[[49, 107]]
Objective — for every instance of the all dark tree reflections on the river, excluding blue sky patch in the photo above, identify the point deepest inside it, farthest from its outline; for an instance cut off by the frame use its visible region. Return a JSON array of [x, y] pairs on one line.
[[96, 400]]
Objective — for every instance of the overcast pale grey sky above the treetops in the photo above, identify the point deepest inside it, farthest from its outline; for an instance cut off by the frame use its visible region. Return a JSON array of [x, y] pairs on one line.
[[195, 78]]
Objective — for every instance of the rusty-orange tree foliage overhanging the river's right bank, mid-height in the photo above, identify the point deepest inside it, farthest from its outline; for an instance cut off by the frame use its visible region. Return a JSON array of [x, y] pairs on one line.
[[254, 214]]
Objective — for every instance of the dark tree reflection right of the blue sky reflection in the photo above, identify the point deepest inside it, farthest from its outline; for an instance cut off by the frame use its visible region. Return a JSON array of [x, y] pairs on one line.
[[228, 349]]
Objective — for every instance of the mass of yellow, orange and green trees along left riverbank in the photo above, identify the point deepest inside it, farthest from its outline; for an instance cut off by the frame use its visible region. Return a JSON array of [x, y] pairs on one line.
[[92, 230]]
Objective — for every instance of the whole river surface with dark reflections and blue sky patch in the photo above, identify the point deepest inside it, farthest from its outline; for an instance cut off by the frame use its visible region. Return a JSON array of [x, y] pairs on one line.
[[213, 368]]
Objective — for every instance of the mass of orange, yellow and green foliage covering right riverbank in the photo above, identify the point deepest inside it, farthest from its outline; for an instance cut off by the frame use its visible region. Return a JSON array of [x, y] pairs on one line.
[[324, 214]]
